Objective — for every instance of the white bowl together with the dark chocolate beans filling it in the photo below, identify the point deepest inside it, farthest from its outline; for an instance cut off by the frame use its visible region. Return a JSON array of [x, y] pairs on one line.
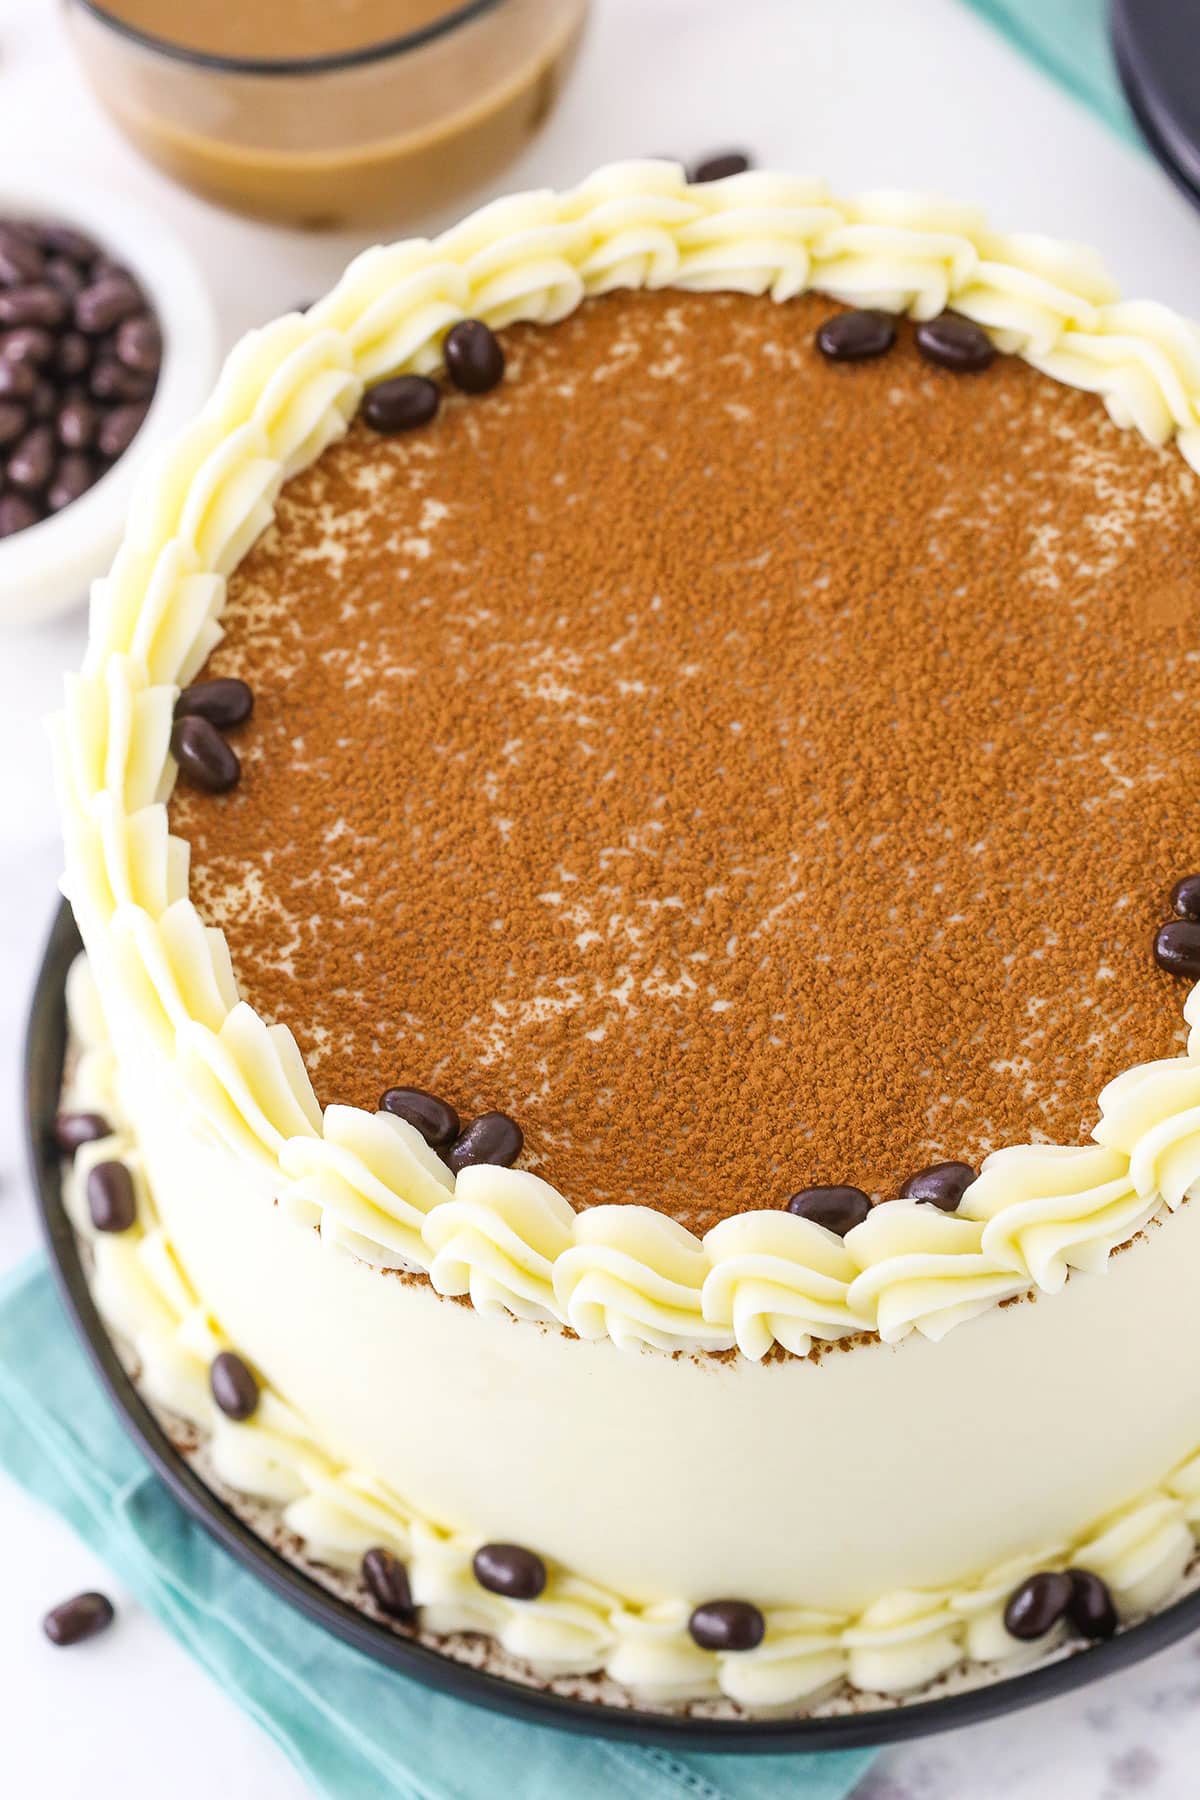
[[107, 346]]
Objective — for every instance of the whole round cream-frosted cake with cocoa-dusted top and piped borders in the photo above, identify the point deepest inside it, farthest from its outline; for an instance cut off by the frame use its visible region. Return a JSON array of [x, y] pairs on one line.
[[632, 811]]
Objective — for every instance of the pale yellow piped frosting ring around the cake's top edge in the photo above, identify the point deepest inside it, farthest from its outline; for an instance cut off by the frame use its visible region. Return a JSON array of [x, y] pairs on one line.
[[505, 1237]]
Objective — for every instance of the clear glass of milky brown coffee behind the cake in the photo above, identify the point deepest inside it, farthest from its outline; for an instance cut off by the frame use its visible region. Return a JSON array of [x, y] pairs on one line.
[[316, 114]]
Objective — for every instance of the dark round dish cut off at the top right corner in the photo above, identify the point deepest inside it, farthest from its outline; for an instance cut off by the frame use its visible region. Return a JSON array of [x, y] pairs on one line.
[[1158, 51]]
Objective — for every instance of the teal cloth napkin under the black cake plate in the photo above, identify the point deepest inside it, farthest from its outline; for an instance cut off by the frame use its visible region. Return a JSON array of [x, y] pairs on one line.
[[355, 1729]]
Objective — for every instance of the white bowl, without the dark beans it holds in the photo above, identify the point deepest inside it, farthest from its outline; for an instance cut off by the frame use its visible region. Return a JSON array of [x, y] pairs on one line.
[[51, 566]]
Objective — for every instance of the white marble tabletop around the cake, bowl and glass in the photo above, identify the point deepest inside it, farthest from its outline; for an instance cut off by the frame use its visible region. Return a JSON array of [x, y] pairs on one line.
[[870, 93]]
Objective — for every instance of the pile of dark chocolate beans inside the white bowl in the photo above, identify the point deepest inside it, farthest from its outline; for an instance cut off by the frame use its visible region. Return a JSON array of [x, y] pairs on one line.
[[80, 357]]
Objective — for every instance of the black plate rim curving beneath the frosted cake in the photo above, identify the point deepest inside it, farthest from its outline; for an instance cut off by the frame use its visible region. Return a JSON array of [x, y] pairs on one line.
[[44, 1066]]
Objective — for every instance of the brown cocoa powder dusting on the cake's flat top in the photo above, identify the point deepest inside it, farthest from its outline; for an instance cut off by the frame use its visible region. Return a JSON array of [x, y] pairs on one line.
[[744, 771]]
